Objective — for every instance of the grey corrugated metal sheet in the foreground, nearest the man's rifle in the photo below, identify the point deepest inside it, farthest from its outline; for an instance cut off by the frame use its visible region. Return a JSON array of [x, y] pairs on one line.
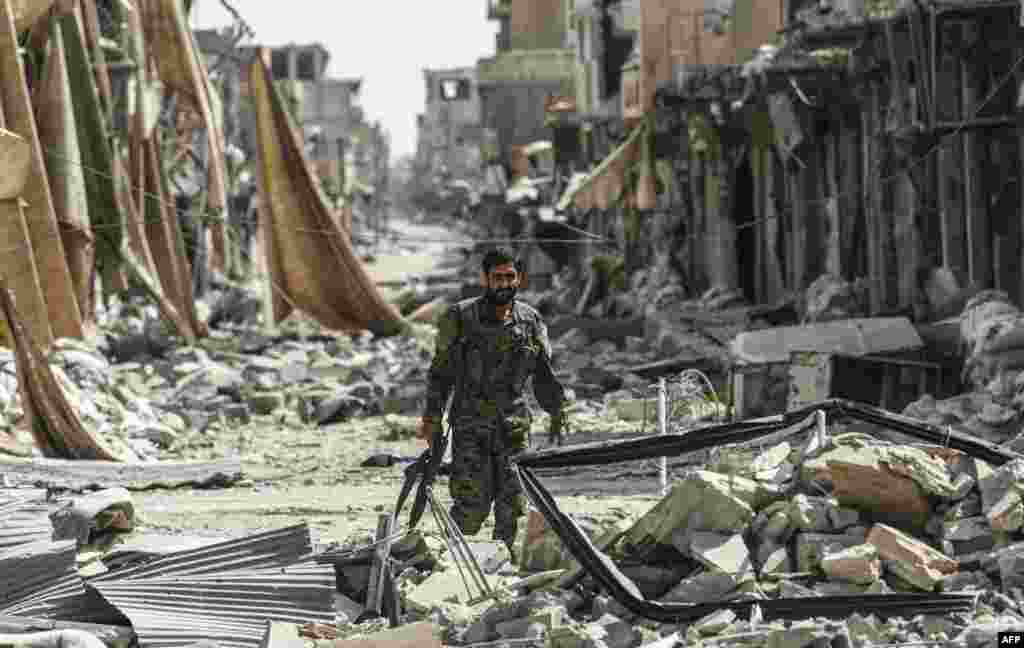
[[231, 609]]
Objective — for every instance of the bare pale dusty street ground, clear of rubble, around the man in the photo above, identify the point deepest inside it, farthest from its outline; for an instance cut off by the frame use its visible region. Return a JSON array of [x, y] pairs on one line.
[[310, 473]]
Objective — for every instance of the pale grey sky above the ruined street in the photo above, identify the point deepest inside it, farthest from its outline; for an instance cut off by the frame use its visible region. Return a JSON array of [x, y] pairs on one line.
[[387, 42]]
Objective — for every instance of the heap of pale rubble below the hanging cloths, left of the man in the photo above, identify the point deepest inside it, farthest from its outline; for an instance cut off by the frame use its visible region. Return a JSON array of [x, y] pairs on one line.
[[146, 397]]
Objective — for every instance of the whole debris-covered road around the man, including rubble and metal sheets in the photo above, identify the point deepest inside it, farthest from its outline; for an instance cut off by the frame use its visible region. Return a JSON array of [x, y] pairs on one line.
[[261, 464]]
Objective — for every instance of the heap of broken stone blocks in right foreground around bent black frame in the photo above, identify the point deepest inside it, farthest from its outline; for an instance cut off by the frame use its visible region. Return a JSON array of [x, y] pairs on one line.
[[846, 514]]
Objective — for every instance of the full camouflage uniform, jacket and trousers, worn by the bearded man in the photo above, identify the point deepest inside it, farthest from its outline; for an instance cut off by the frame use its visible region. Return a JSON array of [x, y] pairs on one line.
[[486, 364]]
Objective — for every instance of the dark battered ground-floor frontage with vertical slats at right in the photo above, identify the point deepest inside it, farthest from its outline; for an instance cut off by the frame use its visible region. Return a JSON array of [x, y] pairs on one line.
[[840, 163]]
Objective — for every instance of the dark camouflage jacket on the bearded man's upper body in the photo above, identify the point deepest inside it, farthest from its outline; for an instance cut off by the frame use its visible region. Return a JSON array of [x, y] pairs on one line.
[[486, 364]]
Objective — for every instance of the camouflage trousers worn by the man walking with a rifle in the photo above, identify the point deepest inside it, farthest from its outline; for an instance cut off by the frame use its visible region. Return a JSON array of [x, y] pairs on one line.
[[482, 473]]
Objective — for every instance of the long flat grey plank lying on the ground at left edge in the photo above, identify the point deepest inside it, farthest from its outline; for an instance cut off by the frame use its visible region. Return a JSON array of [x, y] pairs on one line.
[[89, 476]]
